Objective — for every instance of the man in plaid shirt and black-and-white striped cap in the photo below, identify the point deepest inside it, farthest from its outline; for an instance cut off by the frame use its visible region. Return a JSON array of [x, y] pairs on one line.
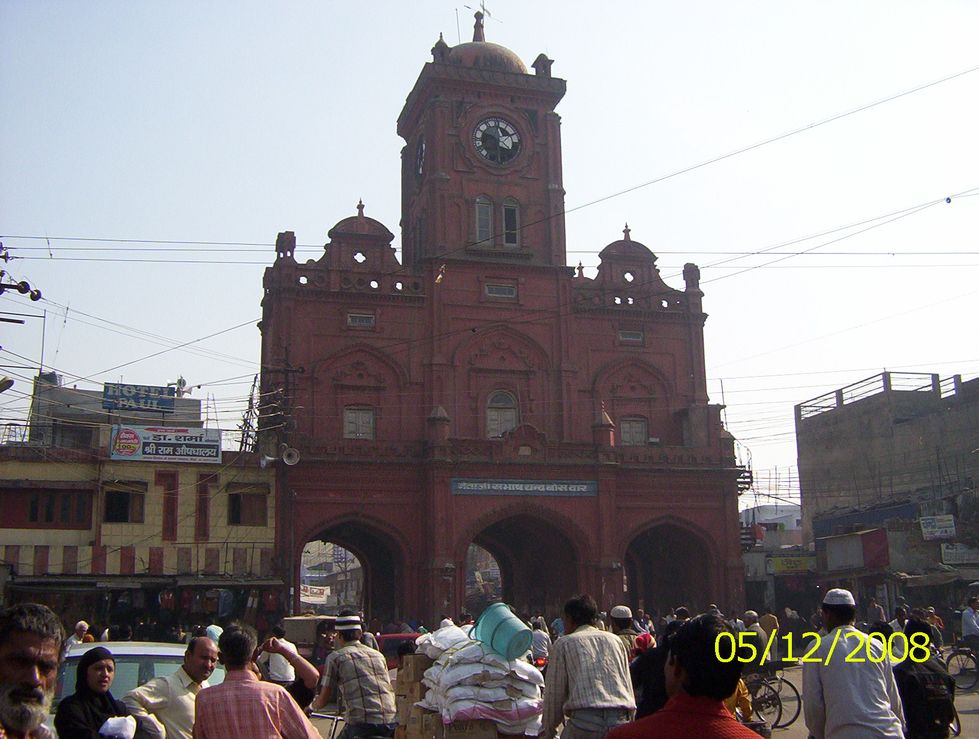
[[360, 675]]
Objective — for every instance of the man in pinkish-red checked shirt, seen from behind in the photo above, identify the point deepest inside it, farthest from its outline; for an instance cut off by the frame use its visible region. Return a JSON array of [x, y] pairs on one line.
[[244, 706]]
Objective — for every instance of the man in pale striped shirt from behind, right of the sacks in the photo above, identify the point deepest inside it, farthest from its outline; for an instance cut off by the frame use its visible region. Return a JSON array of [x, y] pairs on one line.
[[588, 685]]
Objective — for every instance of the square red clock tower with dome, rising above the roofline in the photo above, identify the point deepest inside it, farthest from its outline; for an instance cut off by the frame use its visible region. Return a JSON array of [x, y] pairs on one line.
[[481, 168]]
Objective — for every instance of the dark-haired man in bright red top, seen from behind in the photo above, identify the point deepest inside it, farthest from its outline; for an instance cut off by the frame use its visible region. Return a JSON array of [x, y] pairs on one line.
[[697, 683]]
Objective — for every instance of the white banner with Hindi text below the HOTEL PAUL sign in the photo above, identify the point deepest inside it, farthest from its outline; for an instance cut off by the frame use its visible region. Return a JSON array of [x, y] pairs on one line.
[[165, 444]]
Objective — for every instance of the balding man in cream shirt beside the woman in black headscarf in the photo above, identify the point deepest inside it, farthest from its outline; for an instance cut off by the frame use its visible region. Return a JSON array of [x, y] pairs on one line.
[[164, 706]]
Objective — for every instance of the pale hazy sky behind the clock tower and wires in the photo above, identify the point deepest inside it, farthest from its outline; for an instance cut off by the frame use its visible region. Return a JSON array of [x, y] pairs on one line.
[[128, 124]]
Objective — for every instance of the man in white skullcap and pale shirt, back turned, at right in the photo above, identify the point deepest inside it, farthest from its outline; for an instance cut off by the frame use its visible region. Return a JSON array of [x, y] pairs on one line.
[[848, 699]]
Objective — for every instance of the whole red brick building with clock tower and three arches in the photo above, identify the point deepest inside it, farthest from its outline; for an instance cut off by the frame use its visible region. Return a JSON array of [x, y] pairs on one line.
[[482, 391]]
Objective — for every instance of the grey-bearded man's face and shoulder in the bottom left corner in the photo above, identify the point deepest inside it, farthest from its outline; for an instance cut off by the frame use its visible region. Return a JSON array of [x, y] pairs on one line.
[[30, 652]]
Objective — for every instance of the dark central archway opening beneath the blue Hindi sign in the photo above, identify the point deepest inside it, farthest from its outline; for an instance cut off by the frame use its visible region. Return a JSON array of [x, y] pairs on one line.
[[539, 563]]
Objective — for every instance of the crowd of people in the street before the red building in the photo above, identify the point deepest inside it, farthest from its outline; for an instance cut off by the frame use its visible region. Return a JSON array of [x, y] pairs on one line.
[[617, 675]]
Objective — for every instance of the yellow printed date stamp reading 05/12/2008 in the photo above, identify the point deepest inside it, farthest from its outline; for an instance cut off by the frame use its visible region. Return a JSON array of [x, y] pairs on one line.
[[746, 647]]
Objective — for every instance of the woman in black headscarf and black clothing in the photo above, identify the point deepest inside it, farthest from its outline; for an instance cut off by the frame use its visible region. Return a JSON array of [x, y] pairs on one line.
[[82, 714]]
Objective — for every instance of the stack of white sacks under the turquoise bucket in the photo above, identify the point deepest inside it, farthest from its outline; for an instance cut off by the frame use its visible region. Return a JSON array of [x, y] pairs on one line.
[[468, 682]]
